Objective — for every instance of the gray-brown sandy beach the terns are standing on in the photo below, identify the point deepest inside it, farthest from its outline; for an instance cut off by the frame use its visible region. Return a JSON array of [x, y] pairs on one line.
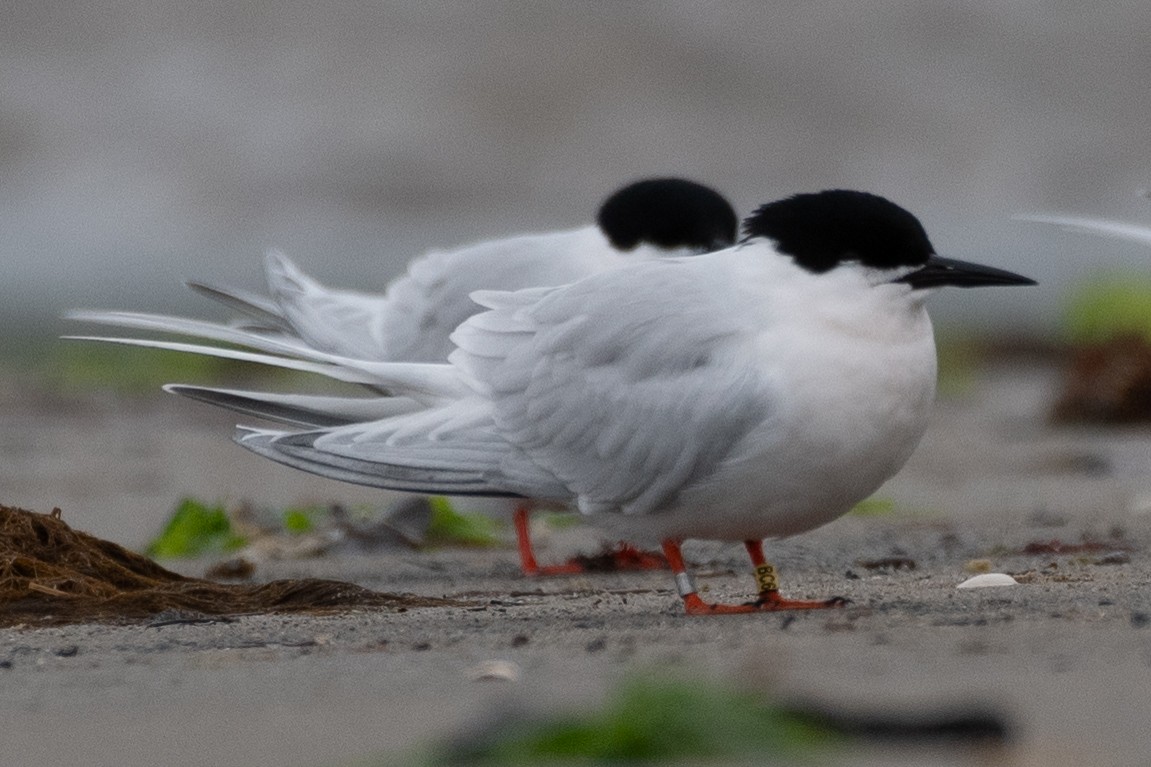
[[1065, 656]]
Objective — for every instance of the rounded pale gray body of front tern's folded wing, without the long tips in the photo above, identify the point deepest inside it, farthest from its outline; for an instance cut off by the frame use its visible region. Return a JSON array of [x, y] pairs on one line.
[[623, 396]]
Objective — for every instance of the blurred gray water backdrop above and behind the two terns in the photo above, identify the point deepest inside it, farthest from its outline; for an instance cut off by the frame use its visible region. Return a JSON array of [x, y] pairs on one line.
[[146, 142]]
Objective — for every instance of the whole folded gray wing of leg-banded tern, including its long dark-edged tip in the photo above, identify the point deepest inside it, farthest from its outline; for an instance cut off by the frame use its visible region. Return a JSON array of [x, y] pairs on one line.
[[583, 393]]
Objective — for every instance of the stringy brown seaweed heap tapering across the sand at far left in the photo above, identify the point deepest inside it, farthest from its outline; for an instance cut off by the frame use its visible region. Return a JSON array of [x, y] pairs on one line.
[[52, 575]]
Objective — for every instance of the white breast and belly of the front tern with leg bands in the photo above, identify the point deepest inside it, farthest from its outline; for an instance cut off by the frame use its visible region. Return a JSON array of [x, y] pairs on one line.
[[843, 422]]
